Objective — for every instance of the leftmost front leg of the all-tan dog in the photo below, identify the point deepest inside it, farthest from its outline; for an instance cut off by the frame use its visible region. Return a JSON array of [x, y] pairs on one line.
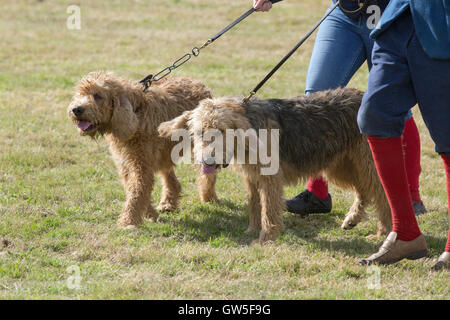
[[138, 204]]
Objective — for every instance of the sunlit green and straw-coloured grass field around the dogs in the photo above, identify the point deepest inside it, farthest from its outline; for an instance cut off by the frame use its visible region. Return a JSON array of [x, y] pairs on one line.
[[60, 195]]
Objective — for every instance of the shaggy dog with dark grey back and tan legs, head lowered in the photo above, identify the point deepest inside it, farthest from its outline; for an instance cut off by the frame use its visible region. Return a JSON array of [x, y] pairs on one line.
[[318, 135]]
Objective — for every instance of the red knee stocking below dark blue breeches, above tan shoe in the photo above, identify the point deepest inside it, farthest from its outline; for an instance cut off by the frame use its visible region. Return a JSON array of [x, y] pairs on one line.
[[389, 161]]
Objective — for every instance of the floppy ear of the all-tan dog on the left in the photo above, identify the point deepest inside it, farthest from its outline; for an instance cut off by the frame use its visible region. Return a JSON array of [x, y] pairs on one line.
[[124, 121]]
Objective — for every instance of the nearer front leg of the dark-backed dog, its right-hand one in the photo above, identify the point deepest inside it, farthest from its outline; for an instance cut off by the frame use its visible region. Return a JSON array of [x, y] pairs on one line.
[[271, 192]]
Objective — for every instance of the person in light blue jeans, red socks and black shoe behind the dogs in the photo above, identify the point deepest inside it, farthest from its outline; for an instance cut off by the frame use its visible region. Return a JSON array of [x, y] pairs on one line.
[[342, 45]]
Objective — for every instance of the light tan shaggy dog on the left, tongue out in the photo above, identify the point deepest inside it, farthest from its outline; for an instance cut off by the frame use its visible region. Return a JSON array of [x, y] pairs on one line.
[[128, 117]]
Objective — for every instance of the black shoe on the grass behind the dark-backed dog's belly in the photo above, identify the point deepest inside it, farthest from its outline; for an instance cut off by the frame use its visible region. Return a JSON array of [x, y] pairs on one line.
[[307, 202]]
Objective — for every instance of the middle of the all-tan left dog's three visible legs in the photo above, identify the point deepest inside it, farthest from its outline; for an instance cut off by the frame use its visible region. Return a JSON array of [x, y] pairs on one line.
[[170, 192]]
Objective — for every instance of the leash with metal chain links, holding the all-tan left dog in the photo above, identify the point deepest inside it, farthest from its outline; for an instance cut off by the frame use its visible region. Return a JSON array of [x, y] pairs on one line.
[[148, 80]]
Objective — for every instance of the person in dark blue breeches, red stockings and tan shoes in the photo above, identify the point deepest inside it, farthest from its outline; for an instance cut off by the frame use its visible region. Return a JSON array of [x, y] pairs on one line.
[[411, 64]]
